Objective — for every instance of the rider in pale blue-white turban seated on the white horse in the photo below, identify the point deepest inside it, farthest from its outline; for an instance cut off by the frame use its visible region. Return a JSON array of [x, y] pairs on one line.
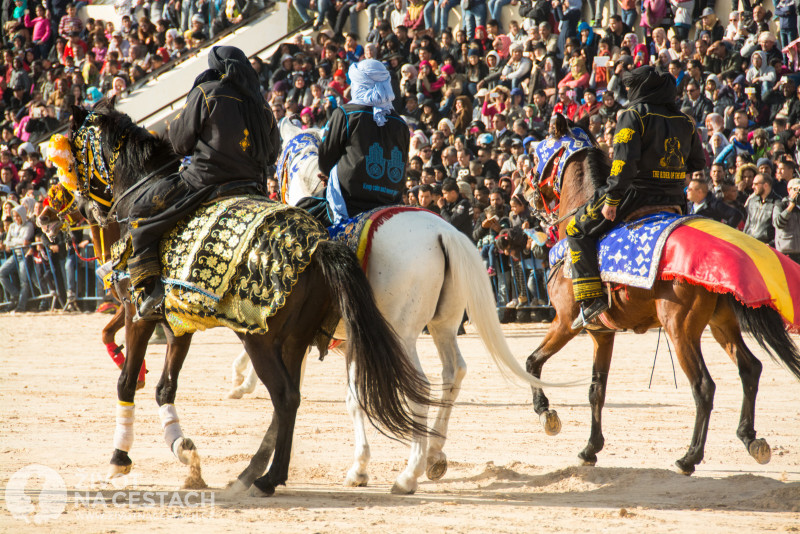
[[364, 149]]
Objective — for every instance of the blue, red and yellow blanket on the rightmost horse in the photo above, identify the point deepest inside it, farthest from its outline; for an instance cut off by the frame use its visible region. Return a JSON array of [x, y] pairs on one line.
[[700, 251]]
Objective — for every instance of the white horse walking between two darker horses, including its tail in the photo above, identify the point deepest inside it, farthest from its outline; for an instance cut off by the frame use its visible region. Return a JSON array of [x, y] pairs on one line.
[[423, 272]]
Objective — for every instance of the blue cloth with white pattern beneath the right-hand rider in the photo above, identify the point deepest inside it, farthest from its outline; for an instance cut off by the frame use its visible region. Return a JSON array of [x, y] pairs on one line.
[[630, 253]]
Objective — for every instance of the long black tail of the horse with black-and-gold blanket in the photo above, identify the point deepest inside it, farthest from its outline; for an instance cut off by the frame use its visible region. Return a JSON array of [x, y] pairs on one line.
[[385, 380]]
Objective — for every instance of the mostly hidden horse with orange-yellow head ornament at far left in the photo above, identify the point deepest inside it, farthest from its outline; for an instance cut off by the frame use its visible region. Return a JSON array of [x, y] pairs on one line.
[[62, 214]]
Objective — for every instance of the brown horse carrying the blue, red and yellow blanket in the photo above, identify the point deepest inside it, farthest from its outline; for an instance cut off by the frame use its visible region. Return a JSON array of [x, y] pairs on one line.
[[682, 309]]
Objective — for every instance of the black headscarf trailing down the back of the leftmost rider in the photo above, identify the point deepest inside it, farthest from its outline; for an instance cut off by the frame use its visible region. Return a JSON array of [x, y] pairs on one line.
[[231, 66]]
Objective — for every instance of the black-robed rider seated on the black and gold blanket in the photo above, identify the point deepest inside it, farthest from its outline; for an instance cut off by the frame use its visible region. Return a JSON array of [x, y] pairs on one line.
[[231, 135]]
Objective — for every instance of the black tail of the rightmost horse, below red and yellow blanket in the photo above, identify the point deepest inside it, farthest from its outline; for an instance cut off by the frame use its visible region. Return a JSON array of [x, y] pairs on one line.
[[766, 325]]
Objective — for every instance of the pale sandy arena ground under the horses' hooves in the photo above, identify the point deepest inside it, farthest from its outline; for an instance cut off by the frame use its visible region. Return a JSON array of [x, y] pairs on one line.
[[57, 399]]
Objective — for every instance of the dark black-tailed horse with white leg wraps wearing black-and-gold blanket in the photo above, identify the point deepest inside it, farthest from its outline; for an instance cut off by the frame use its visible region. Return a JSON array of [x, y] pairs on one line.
[[390, 390]]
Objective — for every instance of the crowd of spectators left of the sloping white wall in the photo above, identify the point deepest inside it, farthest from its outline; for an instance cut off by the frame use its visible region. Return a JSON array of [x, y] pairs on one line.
[[53, 59]]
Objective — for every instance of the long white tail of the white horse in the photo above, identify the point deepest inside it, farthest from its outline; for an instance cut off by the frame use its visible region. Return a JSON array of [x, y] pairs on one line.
[[466, 266]]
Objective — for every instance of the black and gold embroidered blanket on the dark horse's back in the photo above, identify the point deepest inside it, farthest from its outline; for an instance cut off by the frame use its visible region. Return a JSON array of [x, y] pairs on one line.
[[233, 263]]
